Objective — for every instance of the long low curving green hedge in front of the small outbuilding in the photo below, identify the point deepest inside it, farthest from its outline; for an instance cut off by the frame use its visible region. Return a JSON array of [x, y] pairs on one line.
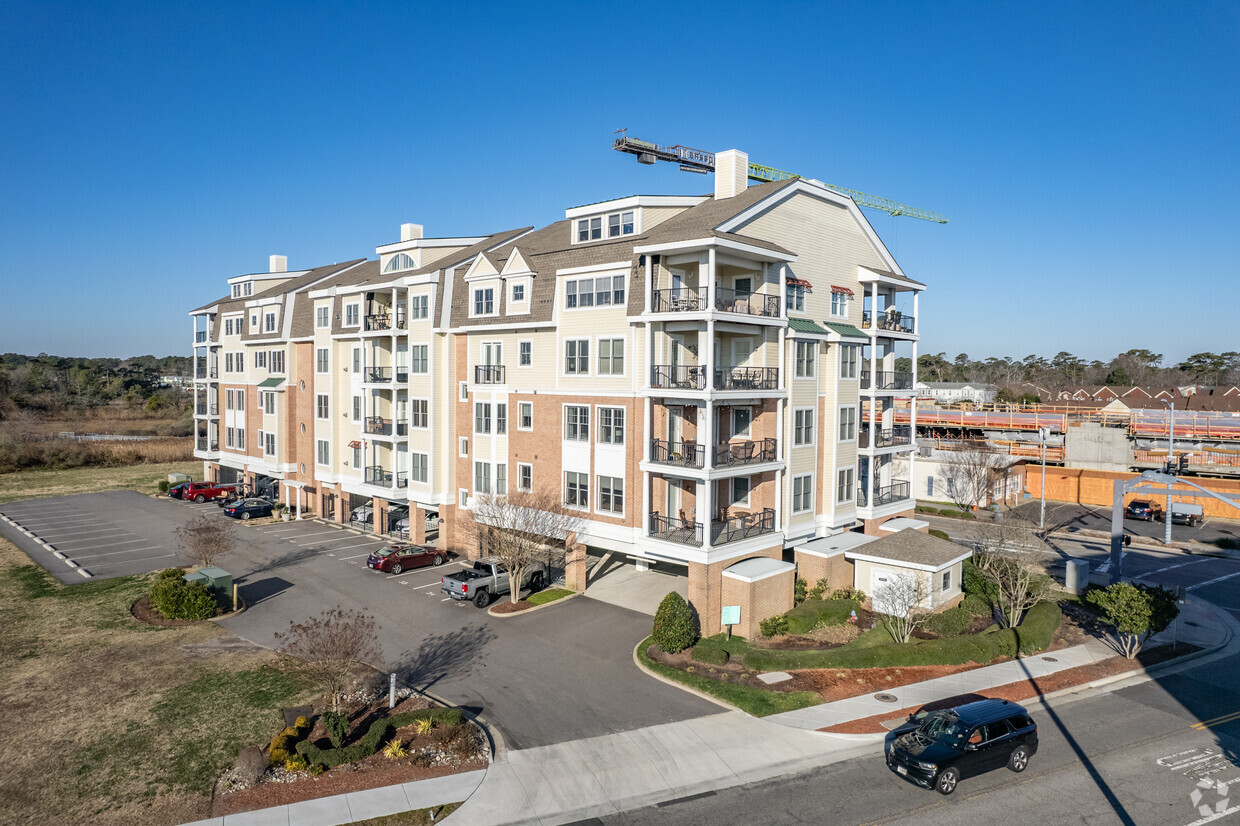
[[1032, 636]]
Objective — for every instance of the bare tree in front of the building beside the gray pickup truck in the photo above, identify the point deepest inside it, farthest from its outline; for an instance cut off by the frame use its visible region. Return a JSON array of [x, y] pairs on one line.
[[521, 529]]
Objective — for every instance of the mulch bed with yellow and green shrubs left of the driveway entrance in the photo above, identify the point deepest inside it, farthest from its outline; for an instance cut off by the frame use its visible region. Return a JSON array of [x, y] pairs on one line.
[[371, 773]]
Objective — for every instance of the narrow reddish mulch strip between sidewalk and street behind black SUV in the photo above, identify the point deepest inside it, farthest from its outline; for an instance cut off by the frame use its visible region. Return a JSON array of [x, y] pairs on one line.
[[1022, 690]]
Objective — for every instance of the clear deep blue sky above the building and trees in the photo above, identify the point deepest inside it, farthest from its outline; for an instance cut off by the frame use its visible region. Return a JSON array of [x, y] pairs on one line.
[[1087, 154]]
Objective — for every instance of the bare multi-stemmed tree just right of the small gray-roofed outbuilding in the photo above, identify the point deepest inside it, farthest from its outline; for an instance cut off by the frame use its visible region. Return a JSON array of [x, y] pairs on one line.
[[1010, 554]]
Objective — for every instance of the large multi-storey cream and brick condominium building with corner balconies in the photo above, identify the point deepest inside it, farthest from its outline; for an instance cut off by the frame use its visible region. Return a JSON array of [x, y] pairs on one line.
[[706, 379]]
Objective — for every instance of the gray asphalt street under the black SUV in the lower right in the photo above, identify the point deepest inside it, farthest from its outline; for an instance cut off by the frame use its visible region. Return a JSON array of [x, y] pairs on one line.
[[1128, 757]]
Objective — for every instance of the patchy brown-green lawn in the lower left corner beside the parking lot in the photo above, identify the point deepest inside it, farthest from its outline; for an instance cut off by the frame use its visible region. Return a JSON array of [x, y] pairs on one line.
[[110, 721]]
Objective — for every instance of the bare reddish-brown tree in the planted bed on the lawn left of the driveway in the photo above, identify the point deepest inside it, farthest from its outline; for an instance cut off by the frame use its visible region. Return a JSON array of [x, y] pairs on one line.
[[330, 648]]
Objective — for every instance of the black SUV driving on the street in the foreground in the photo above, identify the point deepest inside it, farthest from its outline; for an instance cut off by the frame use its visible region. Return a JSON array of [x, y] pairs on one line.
[[939, 748]]
